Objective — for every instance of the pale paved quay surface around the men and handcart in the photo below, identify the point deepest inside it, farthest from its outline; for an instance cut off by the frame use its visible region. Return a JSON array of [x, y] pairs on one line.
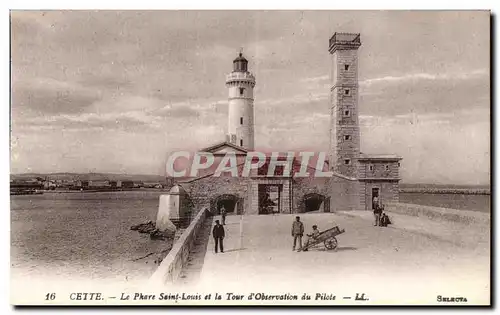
[[388, 264]]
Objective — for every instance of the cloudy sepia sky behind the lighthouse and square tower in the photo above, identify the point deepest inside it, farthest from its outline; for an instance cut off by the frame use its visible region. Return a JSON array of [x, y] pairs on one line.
[[117, 91]]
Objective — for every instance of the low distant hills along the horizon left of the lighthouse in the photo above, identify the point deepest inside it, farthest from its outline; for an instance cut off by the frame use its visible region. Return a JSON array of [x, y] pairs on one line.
[[90, 176]]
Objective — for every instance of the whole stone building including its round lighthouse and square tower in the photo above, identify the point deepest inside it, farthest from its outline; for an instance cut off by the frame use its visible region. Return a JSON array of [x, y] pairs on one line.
[[356, 177]]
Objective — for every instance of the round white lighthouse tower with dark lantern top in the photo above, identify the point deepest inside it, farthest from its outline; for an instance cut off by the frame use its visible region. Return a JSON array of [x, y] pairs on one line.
[[240, 83]]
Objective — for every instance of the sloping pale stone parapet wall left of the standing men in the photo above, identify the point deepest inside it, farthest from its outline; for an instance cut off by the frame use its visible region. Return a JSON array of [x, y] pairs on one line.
[[171, 267]]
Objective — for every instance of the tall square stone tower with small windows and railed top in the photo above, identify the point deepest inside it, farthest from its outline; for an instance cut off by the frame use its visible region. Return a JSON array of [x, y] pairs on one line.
[[344, 124]]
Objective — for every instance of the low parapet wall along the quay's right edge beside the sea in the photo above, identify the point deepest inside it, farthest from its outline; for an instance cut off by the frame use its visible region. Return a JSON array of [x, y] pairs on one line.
[[439, 214]]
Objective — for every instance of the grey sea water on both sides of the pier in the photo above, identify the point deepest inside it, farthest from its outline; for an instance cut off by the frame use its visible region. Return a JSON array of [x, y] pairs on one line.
[[88, 234]]
